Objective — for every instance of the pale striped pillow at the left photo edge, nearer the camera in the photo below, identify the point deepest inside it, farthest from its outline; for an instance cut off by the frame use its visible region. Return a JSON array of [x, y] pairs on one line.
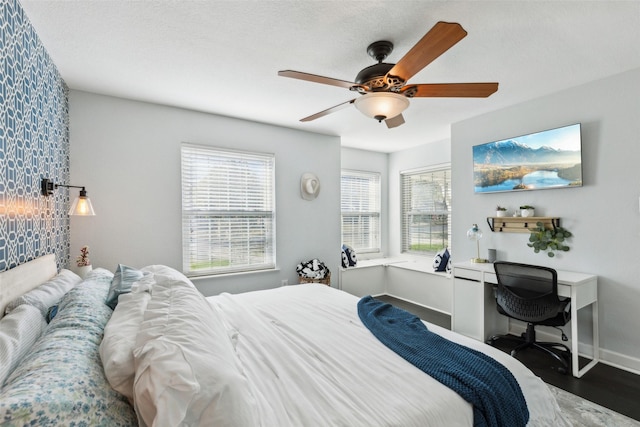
[[19, 330]]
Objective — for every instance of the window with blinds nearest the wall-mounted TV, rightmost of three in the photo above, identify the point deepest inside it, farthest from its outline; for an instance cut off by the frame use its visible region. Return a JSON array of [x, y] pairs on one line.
[[426, 210]]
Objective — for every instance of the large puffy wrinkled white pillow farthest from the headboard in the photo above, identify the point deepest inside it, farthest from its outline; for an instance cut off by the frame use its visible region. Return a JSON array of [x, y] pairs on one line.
[[186, 368]]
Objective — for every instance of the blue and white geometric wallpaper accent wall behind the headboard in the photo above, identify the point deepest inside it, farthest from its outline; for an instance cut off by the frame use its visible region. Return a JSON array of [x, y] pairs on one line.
[[34, 144]]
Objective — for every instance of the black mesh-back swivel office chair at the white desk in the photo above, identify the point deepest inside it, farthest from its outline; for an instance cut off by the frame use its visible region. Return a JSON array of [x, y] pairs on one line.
[[530, 293]]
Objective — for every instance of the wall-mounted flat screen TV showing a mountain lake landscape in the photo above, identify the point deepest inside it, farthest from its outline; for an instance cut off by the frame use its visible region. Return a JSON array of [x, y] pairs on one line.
[[537, 161]]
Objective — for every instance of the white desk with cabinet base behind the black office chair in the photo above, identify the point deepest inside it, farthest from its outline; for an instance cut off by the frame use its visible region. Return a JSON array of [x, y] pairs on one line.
[[475, 315]]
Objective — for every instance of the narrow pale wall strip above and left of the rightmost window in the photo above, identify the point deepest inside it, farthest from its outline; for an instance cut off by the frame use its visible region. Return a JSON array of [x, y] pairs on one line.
[[428, 155]]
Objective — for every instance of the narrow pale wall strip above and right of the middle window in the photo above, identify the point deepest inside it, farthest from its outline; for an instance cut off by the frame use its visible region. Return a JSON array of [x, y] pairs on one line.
[[371, 161]]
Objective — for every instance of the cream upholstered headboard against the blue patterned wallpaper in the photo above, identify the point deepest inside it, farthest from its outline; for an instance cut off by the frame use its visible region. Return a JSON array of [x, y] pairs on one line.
[[23, 278]]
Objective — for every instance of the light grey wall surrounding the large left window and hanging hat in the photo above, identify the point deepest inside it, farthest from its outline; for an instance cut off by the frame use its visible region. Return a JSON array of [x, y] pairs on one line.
[[127, 154]]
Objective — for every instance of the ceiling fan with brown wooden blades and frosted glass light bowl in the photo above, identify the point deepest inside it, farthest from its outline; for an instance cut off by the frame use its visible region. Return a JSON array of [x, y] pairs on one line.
[[383, 87]]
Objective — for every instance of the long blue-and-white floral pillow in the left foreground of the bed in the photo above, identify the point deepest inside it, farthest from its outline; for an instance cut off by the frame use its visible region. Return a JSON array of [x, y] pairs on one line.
[[60, 382]]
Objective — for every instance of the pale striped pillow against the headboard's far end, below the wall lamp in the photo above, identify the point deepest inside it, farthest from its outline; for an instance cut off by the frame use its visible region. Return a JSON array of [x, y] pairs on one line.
[[47, 294]]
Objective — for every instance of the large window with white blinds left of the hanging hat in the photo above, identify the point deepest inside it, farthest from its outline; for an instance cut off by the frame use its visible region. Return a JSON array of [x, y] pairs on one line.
[[228, 211]]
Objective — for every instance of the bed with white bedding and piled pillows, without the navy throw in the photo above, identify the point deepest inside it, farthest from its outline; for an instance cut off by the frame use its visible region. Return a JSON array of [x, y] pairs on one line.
[[164, 355]]
